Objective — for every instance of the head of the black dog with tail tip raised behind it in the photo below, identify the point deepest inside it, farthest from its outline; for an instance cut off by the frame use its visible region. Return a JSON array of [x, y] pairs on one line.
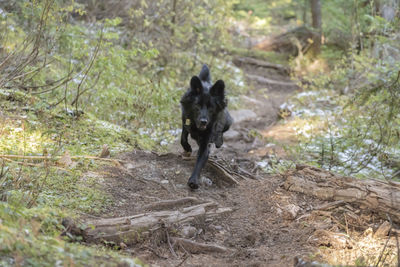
[[204, 100]]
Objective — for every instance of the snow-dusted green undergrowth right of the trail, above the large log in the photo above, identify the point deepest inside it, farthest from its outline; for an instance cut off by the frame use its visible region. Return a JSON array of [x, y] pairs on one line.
[[347, 118]]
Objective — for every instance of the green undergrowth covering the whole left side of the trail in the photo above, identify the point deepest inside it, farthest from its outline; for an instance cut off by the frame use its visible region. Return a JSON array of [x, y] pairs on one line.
[[73, 86]]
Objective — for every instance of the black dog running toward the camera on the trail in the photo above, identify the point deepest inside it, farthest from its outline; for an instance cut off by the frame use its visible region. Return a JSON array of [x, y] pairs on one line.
[[205, 117]]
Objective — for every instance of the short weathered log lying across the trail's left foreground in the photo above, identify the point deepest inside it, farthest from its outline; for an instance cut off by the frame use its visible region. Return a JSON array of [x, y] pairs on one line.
[[133, 229]]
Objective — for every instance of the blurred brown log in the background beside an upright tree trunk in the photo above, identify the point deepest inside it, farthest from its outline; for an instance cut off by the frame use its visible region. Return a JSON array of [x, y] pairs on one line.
[[285, 43]]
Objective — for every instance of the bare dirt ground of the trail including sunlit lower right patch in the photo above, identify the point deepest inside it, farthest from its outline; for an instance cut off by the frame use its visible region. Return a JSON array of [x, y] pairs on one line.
[[260, 223]]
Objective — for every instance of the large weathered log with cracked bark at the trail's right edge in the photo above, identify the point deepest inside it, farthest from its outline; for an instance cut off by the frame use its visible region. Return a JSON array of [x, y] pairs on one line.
[[379, 196]]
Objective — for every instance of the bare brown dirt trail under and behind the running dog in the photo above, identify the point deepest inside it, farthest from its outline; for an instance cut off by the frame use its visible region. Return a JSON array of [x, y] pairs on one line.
[[260, 231]]
